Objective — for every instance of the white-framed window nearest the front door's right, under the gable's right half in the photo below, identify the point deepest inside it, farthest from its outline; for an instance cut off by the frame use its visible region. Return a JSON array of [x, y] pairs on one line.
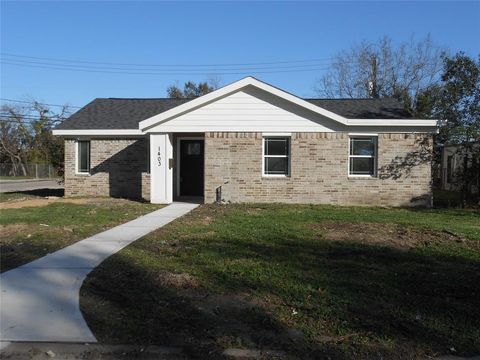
[[276, 156]]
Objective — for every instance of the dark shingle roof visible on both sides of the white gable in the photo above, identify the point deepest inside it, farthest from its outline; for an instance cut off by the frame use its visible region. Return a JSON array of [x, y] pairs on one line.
[[113, 113]]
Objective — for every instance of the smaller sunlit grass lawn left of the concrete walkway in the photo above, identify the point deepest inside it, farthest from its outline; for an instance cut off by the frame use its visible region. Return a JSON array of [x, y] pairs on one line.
[[32, 232]]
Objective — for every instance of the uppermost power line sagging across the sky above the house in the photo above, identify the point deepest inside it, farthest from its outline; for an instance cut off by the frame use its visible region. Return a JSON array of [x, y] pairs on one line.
[[170, 65]]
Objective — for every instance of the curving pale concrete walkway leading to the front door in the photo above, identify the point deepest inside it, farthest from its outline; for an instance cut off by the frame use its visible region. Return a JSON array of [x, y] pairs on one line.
[[40, 300]]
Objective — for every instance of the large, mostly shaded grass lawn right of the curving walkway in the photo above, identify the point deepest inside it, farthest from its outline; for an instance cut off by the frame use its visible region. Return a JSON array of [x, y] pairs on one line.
[[313, 281]]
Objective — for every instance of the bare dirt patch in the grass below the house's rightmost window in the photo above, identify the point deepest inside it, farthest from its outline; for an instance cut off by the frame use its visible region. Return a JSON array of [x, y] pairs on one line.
[[385, 234]]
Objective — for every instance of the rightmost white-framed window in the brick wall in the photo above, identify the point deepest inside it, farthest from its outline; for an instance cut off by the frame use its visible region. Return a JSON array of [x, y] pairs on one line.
[[362, 157]]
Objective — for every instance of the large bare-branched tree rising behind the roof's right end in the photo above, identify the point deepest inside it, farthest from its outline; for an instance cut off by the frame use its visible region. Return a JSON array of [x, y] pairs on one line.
[[382, 69]]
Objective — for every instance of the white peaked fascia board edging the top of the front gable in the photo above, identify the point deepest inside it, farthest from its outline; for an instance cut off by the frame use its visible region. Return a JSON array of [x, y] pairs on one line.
[[226, 90]]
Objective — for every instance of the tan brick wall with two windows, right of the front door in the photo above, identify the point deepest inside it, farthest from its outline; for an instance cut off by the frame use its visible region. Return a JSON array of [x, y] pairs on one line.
[[319, 165]]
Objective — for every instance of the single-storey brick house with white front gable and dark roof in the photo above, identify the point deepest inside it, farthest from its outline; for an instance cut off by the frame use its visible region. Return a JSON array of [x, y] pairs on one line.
[[248, 142]]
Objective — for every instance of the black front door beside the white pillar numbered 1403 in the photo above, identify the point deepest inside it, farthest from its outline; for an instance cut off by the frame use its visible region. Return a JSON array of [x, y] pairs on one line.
[[191, 167]]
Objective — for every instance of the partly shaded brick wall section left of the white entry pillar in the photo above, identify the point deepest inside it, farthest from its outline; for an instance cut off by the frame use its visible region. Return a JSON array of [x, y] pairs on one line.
[[119, 168]]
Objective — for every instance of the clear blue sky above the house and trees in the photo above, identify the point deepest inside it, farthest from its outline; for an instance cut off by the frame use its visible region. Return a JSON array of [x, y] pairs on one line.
[[205, 33]]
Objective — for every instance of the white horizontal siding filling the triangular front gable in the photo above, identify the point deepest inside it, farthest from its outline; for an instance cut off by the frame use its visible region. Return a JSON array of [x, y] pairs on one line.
[[248, 110]]
